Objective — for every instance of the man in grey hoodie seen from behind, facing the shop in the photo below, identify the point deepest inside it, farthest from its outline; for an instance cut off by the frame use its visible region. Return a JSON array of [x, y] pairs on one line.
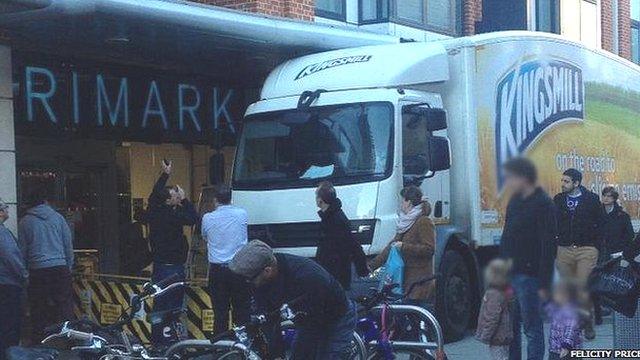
[[45, 241]]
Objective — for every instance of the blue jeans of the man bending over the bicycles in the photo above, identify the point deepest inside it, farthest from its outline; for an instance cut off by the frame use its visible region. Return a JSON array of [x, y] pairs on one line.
[[327, 343]]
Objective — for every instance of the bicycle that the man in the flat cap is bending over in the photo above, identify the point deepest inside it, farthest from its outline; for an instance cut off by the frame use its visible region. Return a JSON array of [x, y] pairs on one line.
[[248, 341]]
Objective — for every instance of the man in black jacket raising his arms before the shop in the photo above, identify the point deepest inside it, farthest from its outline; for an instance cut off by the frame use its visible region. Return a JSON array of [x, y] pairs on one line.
[[169, 211]]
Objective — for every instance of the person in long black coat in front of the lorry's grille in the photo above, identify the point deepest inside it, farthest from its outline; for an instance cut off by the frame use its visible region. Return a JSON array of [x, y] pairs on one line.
[[337, 248]]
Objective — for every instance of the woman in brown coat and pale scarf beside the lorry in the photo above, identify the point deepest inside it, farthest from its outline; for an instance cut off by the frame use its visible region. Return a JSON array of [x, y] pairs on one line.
[[415, 238]]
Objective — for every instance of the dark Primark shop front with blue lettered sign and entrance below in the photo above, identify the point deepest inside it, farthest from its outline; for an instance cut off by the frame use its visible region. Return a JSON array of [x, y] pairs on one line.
[[95, 134]]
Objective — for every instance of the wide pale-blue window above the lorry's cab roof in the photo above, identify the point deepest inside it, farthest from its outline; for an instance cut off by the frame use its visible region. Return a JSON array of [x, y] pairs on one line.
[[434, 15]]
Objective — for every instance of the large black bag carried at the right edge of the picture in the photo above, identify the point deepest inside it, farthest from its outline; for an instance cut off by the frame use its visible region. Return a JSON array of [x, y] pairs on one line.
[[617, 286]]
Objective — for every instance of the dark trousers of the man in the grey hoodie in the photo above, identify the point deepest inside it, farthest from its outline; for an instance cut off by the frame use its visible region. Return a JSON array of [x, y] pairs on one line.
[[50, 298]]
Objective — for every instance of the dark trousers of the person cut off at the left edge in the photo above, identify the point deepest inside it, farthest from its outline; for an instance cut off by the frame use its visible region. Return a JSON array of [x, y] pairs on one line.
[[11, 315]]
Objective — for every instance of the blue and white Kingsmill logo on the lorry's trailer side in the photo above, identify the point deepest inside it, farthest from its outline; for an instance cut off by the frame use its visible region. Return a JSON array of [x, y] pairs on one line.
[[530, 98]]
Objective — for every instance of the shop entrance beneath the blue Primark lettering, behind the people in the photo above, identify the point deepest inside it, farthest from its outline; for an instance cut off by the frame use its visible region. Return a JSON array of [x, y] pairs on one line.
[[101, 186]]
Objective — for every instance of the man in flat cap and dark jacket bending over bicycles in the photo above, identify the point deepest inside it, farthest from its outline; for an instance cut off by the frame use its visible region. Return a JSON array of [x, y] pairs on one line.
[[324, 331]]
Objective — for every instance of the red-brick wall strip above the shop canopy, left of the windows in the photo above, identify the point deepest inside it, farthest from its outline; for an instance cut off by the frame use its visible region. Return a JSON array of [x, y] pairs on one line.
[[294, 9]]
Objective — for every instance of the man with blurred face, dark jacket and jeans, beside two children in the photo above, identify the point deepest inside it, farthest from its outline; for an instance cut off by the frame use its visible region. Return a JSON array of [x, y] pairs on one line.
[[528, 240]]
